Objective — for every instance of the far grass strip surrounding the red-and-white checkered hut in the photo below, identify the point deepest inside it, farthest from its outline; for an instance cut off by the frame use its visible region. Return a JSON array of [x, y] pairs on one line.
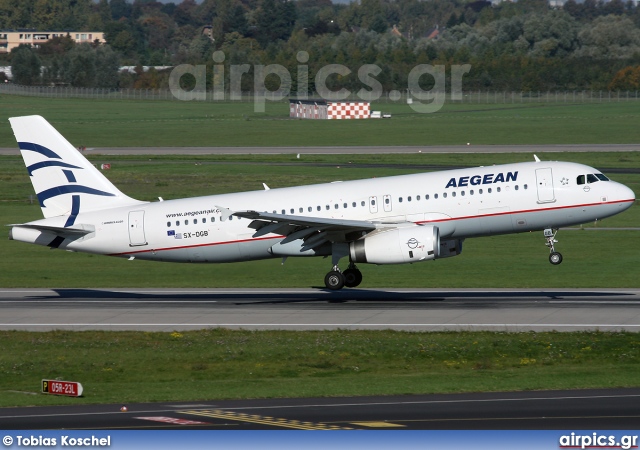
[[118, 123]]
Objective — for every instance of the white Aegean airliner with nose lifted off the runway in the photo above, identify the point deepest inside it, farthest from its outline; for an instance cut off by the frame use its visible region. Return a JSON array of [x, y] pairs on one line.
[[392, 220]]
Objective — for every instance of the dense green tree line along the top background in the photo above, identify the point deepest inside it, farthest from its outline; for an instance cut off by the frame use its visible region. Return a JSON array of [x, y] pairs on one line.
[[524, 45]]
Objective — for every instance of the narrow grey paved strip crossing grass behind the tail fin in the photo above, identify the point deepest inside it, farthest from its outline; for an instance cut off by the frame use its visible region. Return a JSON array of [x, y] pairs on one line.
[[351, 149]]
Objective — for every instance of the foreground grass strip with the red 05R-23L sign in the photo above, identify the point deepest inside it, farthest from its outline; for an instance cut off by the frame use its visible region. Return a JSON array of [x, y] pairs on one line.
[[129, 367]]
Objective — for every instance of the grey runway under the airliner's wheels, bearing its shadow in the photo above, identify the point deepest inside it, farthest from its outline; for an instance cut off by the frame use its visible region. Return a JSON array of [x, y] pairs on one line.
[[318, 309]]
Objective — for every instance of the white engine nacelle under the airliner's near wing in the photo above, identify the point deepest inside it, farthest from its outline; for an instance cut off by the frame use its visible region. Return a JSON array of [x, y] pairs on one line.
[[397, 246]]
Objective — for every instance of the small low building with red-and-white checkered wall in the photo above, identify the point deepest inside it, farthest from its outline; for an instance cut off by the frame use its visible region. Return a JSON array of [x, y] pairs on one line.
[[329, 109]]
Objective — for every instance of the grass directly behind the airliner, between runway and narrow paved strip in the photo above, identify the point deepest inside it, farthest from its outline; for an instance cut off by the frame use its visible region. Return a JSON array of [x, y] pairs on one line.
[[589, 259]]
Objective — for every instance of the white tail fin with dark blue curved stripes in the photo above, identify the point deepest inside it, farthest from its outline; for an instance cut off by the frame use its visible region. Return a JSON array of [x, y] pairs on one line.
[[65, 182]]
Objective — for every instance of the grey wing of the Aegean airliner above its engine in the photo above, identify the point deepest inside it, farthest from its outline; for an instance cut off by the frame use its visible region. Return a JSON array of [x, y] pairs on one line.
[[314, 231]]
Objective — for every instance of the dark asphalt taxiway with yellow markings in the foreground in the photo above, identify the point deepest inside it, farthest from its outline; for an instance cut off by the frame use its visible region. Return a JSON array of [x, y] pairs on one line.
[[566, 410]]
